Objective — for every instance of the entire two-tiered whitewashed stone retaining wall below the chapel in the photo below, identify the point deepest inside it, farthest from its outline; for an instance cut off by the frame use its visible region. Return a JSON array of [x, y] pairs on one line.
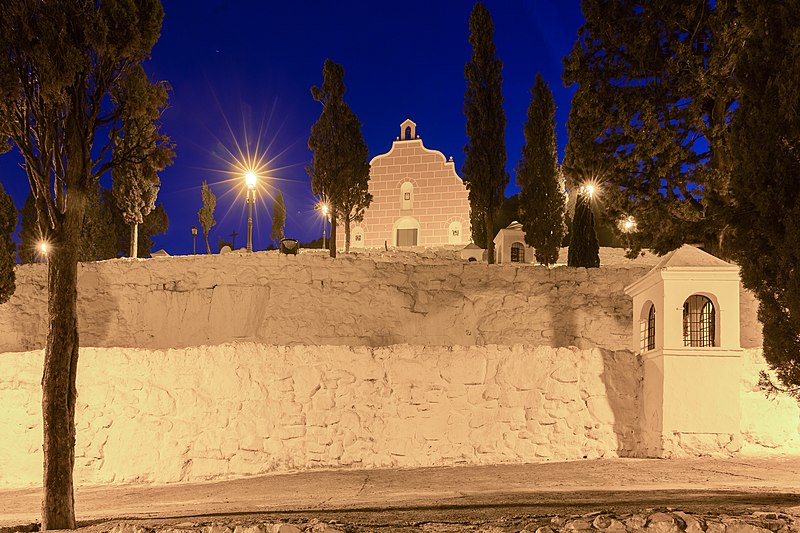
[[206, 367]]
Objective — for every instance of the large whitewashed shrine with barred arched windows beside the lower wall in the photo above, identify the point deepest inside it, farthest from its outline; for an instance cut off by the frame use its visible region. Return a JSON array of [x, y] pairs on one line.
[[686, 330]]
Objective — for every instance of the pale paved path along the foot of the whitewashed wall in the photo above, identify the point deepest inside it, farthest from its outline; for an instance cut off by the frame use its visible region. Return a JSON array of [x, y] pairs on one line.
[[697, 485]]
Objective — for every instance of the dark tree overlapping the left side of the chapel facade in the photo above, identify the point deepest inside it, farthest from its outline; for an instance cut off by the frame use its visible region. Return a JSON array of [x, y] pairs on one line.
[[340, 169]]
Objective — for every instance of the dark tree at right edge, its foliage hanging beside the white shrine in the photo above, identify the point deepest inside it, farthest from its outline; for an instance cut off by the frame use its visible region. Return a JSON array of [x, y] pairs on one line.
[[765, 182]]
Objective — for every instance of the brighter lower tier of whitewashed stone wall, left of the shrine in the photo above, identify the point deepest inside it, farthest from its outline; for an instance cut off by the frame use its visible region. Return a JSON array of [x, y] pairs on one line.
[[237, 409]]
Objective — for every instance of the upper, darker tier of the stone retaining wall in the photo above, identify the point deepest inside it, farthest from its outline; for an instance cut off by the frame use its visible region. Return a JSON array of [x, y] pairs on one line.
[[356, 300]]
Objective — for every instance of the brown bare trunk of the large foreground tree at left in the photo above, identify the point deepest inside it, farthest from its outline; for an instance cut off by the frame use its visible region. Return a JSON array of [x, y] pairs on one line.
[[60, 368]]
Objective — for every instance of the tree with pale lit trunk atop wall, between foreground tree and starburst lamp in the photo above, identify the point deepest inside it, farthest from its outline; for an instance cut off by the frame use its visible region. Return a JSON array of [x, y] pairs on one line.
[[135, 182]]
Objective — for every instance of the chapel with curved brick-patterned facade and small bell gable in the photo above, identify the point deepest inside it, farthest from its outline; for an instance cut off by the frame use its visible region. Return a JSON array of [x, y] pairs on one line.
[[418, 199]]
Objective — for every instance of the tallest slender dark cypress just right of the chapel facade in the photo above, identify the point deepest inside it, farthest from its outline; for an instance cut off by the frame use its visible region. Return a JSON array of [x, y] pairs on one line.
[[484, 167]]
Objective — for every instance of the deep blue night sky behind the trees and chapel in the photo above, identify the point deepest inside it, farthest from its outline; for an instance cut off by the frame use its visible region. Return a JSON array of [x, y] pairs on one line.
[[241, 73]]
